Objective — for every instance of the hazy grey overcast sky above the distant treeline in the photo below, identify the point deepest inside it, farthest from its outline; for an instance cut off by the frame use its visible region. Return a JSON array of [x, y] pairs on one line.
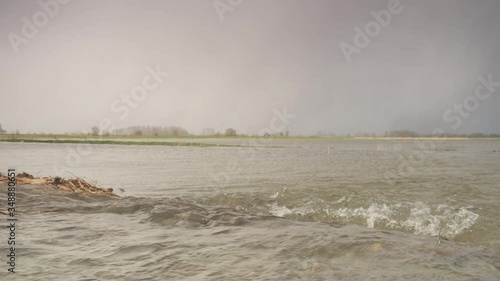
[[262, 55]]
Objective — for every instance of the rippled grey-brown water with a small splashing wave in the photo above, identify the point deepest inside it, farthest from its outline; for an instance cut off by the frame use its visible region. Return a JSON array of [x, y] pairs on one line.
[[302, 210]]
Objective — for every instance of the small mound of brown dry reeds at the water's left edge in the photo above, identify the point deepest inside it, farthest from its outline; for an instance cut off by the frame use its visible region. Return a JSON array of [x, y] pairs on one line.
[[75, 185]]
